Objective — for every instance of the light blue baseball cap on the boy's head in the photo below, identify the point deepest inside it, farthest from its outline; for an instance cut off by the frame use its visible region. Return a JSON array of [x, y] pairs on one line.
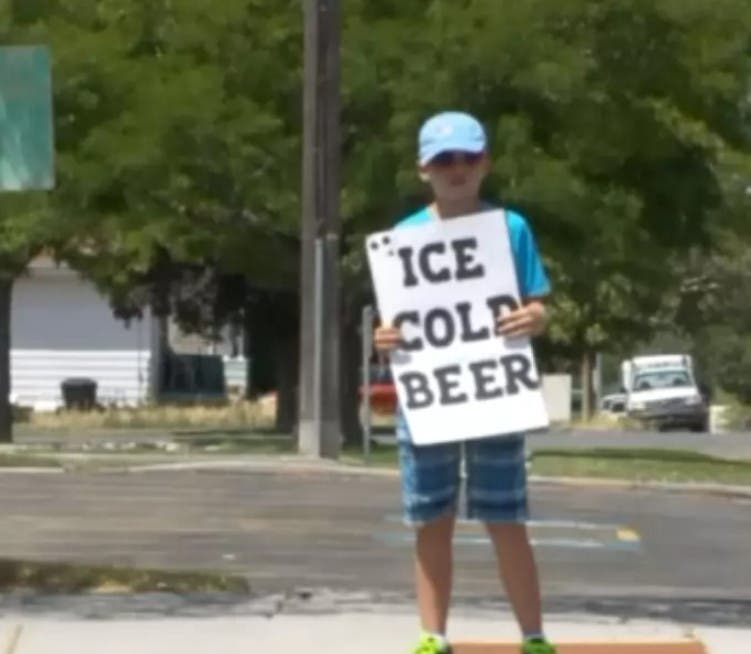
[[450, 131]]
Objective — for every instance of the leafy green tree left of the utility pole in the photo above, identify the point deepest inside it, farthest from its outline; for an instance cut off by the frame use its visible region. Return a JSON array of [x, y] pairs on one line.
[[179, 144]]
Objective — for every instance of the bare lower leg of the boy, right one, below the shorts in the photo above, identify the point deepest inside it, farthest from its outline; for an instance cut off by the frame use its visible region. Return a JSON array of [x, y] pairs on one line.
[[518, 571]]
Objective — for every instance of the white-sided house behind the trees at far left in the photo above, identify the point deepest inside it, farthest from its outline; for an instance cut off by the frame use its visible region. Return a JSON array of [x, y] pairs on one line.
[[61, 327]]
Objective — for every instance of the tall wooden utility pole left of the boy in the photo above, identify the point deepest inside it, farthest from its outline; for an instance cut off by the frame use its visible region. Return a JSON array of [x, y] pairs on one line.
[[319, 426]]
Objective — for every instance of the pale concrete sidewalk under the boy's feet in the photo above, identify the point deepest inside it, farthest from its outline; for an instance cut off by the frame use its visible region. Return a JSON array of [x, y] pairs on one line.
[[378, 632]]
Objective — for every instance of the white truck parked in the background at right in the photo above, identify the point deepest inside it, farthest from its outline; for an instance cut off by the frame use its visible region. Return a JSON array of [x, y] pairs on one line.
[[662, 392]]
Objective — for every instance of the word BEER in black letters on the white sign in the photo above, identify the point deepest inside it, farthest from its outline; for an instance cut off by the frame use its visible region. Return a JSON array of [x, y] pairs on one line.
[[481, 380]]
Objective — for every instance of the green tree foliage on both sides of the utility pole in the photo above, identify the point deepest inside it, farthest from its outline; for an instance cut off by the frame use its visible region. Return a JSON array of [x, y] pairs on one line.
[[620, 129]]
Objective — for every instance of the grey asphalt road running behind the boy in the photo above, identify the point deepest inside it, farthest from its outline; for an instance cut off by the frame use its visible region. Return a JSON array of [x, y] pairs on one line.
[[637, 551]]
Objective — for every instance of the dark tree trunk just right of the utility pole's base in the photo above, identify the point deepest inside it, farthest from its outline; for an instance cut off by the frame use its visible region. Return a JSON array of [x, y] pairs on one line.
[[350, 378]]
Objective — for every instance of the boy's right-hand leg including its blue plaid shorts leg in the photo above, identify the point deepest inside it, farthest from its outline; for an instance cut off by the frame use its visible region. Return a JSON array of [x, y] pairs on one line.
[[497, 496]]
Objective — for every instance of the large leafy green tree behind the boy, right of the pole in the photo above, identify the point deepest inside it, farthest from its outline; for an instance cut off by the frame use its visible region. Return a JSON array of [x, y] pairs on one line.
[[611, 129]]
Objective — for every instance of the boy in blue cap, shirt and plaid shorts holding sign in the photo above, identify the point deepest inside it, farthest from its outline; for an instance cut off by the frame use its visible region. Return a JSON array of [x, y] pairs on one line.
[[453, 160]]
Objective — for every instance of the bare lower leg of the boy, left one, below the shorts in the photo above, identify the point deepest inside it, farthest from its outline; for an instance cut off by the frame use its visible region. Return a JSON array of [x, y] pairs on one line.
[[434, 572]]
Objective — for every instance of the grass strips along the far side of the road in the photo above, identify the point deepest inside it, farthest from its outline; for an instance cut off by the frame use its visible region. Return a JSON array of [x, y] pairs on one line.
[[232, 433]]
